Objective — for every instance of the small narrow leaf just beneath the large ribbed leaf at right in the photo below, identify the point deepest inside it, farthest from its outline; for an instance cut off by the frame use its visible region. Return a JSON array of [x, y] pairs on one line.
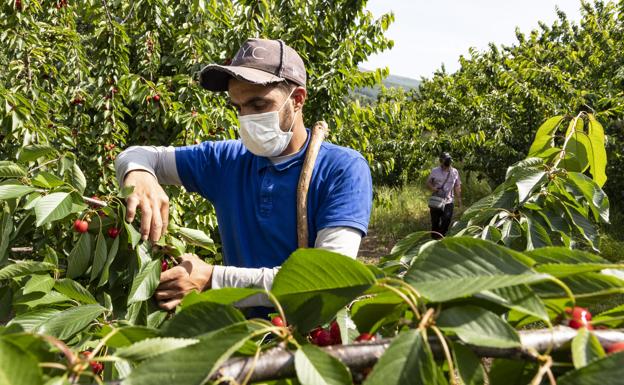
[[520, 298]]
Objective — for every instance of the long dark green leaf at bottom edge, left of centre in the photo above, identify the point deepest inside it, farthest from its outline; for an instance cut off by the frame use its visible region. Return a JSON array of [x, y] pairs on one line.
[[191, 365]]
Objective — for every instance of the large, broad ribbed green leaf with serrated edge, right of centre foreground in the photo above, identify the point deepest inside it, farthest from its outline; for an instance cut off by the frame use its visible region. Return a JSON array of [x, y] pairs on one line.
[[460, 266]]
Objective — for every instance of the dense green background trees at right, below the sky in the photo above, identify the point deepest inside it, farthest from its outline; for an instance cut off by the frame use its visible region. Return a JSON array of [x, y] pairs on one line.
[[486, 112]]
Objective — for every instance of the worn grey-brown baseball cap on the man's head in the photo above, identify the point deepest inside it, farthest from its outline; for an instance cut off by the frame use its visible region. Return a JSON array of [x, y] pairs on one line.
[[258, 61]]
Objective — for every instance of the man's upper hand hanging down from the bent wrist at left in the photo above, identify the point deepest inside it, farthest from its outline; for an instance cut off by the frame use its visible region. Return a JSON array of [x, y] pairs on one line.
[[153, 202]]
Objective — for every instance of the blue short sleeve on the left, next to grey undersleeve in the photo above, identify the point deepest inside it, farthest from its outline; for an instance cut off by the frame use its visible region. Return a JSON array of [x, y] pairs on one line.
[[201, 166]]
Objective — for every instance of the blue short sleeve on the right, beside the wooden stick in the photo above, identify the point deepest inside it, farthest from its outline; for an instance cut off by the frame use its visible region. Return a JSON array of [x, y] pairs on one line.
[[348, 198]]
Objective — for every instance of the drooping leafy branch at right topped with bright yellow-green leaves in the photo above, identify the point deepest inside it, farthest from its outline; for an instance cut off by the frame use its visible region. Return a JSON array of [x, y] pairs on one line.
[[546, 199]]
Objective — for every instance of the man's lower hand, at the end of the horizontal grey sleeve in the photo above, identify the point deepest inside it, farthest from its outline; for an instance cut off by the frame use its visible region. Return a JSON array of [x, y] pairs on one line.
[[191, 274]]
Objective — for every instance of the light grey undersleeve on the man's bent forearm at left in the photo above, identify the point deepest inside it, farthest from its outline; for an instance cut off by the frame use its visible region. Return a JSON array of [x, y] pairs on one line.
[[158, 161]]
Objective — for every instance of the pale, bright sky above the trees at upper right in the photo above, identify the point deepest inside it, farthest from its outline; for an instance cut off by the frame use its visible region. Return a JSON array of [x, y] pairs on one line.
[[427, 33]]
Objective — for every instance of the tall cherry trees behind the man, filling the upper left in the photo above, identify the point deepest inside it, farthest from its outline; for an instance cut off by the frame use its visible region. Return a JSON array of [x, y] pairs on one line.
[[79, 78]]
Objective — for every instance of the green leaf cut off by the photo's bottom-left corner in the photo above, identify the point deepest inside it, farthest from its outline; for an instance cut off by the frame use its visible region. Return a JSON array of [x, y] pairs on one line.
[[18, 367]]
